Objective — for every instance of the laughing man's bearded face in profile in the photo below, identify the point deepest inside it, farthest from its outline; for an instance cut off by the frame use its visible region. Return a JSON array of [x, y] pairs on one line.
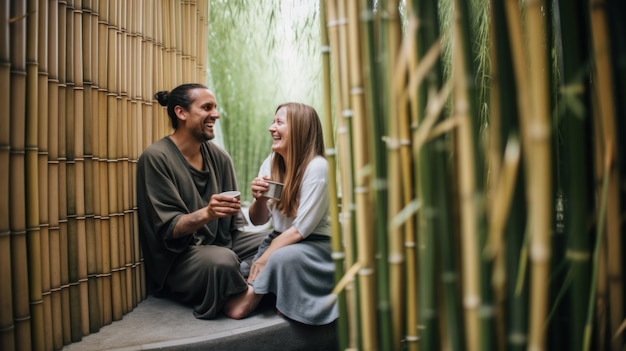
[[202, 114]]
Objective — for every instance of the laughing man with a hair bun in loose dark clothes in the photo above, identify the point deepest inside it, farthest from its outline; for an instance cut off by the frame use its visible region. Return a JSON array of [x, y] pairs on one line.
[[191, 234]]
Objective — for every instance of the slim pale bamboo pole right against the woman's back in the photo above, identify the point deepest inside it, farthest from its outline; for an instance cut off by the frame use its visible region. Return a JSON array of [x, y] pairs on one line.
[[338, 253]]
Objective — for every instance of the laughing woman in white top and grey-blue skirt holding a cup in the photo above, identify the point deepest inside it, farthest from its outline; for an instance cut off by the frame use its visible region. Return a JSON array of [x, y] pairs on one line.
[[294, 262]]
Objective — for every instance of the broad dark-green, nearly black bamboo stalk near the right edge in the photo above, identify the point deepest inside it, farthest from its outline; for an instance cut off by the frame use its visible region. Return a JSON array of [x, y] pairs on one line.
[[575, 162]]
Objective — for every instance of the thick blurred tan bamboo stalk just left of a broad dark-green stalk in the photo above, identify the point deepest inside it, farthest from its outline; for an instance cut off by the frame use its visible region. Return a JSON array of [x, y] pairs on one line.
[[539, 177]]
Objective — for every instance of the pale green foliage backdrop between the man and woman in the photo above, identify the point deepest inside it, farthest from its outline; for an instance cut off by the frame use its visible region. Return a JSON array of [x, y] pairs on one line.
[[261, 53]]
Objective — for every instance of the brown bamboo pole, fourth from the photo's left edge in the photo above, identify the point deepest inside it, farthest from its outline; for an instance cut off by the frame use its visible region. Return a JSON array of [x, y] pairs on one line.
[[43, 198]]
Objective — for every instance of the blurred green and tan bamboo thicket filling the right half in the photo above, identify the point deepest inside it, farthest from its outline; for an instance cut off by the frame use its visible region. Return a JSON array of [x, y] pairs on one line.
[[481, 171]]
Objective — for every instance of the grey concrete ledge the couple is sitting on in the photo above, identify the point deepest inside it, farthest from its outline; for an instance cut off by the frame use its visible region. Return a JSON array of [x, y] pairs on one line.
[[165, 325]]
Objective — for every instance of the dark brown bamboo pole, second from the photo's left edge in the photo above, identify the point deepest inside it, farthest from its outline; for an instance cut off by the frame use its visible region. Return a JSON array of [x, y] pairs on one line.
[[17, 172]]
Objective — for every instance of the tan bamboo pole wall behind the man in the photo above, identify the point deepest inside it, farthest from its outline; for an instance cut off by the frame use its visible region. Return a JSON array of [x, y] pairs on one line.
[[76, 110]]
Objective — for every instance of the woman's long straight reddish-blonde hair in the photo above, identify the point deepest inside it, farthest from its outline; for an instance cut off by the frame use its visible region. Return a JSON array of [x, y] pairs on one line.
[[304, 142]]
